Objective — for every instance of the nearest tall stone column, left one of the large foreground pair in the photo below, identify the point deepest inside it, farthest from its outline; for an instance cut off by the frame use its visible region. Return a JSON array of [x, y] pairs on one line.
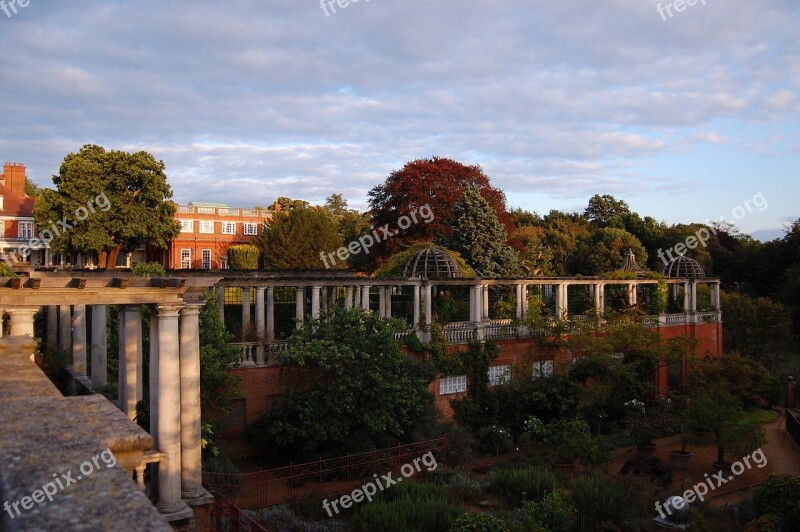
[[169, 411]]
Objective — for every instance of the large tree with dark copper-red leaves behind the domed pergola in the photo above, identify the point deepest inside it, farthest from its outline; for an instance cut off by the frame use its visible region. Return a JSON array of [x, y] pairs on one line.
[[437, 182]]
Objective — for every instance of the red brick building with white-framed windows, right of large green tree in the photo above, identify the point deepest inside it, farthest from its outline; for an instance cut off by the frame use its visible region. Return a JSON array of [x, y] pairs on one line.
[[208, 230]]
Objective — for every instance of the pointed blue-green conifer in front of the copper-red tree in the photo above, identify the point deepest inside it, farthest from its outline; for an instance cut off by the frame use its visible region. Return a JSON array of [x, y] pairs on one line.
[[478, 236]]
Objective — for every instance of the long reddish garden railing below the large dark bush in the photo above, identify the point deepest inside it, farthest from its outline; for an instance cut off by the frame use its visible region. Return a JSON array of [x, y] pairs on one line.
[[323, 478]]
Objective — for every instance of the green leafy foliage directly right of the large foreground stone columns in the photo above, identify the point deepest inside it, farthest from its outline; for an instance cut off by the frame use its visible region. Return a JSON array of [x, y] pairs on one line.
[[217, 385]]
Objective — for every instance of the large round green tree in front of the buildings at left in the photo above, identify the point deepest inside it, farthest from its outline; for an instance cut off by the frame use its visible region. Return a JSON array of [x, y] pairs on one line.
[[112, 201]]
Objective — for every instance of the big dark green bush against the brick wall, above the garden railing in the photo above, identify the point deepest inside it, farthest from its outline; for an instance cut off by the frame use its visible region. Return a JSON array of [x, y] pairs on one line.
[[373, 395]]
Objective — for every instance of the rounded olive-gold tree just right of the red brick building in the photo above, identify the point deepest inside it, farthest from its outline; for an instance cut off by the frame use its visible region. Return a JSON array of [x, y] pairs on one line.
[[295, 240]]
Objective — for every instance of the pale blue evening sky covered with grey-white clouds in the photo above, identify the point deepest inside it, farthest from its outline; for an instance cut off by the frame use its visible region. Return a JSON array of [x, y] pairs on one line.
[[687, 115]]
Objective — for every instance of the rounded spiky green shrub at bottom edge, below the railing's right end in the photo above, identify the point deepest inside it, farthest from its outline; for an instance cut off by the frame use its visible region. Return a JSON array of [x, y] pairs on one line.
[[418, 506]]
